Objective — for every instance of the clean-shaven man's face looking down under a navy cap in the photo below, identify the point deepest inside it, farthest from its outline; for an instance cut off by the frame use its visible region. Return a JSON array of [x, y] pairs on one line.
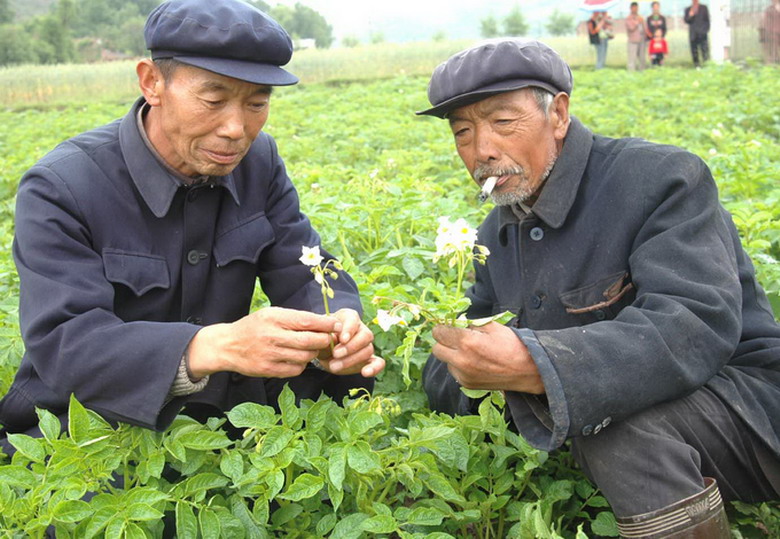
[[202, 123]]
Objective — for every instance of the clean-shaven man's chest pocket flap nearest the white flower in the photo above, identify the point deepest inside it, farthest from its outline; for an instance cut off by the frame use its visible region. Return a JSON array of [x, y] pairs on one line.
[[245, 241]]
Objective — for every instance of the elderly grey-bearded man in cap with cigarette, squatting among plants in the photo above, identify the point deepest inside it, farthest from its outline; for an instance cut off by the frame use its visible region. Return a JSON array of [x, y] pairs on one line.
[[641, 333]]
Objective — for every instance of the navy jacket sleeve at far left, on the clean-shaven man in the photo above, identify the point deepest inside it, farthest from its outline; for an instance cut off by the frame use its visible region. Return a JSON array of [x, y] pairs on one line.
[[74, 340]]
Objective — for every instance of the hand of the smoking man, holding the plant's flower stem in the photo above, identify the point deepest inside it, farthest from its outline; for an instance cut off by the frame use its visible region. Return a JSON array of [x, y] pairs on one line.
[[487, 357]]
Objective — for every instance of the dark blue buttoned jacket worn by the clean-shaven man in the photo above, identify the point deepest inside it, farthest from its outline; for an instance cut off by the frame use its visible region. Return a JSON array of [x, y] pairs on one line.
[[120, 265]]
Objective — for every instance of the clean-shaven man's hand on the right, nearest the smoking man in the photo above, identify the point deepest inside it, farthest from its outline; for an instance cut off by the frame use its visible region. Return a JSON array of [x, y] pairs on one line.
[[354, 350]]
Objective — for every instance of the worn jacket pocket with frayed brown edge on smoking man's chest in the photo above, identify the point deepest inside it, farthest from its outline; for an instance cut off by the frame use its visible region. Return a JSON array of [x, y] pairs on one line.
[[603, 299]]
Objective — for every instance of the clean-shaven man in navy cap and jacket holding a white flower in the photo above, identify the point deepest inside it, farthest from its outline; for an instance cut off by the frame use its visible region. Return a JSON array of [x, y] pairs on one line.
[[138, 245]]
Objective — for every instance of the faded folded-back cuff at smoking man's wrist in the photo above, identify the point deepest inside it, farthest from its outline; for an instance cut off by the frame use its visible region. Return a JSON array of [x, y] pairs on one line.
[[544, 423]]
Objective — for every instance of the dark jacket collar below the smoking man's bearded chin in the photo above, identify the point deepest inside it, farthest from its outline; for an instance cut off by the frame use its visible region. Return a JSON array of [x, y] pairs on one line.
[[560, 189]]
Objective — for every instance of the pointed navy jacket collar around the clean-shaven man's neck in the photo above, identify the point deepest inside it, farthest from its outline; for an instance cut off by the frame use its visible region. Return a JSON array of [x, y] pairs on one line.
[[155, 183]]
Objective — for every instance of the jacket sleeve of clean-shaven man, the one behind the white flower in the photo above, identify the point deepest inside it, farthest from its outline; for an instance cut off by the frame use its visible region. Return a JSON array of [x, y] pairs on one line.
[[286, 281]]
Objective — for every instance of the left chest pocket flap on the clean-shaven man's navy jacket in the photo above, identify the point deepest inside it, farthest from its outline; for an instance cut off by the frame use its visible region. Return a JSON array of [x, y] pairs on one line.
[[140, 272]]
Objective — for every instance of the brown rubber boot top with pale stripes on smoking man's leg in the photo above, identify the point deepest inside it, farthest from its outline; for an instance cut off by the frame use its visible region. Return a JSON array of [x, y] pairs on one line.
[[700, 516]]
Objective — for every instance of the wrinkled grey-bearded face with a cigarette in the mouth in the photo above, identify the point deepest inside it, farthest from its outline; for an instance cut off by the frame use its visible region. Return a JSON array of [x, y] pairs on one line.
[[508, 136]]
